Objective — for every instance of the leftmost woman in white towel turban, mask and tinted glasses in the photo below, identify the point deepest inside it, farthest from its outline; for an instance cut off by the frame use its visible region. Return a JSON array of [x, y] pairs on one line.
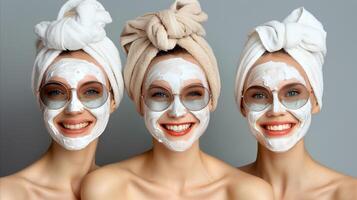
[[78, 83]]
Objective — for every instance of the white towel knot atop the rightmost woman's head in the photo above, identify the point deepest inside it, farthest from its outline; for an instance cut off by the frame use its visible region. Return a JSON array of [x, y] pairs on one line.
[[300, 29]]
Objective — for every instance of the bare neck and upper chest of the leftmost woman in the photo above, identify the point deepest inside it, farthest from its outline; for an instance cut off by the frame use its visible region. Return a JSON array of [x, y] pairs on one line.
[[65, 169]]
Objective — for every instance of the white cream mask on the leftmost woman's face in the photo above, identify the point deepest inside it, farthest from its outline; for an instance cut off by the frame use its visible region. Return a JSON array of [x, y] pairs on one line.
[[73, 71]]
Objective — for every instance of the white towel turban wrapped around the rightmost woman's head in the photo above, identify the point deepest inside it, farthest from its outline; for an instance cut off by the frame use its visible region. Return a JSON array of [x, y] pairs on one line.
[[301, 35]]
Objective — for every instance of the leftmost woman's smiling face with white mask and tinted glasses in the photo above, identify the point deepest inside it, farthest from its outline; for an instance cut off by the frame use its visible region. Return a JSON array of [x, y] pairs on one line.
[[76, 108]]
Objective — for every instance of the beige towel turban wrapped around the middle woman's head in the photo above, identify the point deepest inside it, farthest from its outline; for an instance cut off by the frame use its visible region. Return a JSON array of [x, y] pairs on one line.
[[143, 37]]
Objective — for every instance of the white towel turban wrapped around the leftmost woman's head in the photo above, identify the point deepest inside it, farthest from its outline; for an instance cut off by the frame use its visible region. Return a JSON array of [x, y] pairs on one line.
[[79, 26]]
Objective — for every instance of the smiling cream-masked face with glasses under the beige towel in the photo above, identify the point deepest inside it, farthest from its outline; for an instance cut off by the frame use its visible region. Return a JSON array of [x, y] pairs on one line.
[[187, 90]]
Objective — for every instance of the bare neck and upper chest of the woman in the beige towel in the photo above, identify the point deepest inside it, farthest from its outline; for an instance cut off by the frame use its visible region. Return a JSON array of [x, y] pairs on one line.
[[178, 169]]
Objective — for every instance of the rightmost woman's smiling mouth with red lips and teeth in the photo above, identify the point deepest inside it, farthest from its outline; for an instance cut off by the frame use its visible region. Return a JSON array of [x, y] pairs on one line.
[[277, 129]]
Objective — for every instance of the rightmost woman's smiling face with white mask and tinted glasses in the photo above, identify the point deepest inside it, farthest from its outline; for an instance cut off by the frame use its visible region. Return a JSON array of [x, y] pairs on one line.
[[274, 83]]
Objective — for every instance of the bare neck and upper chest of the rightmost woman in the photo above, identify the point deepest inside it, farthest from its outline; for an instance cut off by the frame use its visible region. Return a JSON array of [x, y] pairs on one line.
[[285, 169]]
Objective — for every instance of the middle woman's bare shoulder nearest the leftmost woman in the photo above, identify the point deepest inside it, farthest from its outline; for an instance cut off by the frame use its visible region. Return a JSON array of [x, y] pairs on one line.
[[110, 181]]
